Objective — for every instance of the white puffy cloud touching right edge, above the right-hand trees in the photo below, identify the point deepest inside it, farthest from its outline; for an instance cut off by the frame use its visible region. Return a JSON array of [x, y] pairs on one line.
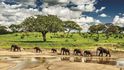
[[119, 21]]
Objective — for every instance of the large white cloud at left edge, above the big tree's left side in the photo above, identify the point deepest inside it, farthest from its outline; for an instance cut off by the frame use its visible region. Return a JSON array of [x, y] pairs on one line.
[[13, 14]]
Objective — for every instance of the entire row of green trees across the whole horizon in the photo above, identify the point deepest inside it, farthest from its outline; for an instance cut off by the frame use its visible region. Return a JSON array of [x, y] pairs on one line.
[[51, 23]]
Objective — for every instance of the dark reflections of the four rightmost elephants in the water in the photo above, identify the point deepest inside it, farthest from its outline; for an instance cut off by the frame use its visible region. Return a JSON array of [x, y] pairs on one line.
[[99, 60]]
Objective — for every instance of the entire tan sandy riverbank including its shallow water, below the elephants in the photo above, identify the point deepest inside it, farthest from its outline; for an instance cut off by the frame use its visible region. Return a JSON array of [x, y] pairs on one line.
[[28, 60]]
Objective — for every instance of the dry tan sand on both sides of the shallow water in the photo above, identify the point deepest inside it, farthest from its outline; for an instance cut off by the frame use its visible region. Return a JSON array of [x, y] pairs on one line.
[[57, 65]]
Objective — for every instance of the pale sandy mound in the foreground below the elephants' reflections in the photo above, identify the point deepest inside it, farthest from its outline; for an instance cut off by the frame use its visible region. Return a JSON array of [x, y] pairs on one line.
[[74, 66]]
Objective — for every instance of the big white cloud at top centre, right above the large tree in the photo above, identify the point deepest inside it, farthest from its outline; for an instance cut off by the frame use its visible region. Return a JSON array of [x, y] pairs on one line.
[[58, 7]]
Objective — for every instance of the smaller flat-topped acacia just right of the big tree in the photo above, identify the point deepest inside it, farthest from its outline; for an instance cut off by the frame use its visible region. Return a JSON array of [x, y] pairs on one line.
[[71, 25]]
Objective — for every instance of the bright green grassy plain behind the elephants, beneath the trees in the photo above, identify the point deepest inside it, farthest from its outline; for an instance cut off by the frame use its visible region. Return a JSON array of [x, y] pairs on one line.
[[35, 39]]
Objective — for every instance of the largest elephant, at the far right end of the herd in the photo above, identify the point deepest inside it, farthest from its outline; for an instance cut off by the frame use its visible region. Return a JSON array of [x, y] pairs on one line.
[[101, 51]]
